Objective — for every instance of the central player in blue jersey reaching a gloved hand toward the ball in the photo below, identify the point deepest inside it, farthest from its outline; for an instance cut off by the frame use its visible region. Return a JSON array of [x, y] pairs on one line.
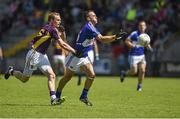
[[84, 45]]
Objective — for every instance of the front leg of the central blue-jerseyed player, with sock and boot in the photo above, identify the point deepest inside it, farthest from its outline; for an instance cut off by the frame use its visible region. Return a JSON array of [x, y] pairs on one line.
[[88, 69]]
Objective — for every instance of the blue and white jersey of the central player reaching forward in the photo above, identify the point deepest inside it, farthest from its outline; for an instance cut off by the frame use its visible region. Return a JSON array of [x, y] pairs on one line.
[[86, 37]]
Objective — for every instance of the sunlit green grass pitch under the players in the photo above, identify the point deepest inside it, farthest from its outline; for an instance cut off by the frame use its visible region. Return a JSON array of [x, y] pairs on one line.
[[111, 99]]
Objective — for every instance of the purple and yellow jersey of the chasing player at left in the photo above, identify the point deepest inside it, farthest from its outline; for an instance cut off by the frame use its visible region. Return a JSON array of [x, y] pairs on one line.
[[43, 39]]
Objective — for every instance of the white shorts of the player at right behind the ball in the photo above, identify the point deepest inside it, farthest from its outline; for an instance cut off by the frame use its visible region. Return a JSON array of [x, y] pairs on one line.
[[134, 60]]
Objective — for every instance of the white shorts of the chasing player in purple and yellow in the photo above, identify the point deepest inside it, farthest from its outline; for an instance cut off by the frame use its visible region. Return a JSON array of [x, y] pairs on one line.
[[35, 60]]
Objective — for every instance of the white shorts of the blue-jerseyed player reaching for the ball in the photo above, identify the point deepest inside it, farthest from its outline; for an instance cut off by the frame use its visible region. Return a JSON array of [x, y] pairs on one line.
[[73, 63]]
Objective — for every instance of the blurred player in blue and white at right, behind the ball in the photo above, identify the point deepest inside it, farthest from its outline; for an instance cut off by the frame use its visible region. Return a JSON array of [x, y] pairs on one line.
[[136, 57]]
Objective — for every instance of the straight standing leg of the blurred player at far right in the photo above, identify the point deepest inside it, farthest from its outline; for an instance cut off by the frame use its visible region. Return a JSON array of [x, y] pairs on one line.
[[142, 68]]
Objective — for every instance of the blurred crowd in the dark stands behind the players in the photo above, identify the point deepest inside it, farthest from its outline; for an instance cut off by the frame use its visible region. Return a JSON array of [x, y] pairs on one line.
[[21, 18]]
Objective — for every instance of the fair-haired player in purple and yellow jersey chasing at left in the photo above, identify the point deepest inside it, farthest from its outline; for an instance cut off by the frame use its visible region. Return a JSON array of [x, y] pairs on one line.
[[37, 58]]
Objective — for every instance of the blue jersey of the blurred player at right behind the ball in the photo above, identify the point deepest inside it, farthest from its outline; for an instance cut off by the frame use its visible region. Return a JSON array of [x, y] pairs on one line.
[[138, 50]]
